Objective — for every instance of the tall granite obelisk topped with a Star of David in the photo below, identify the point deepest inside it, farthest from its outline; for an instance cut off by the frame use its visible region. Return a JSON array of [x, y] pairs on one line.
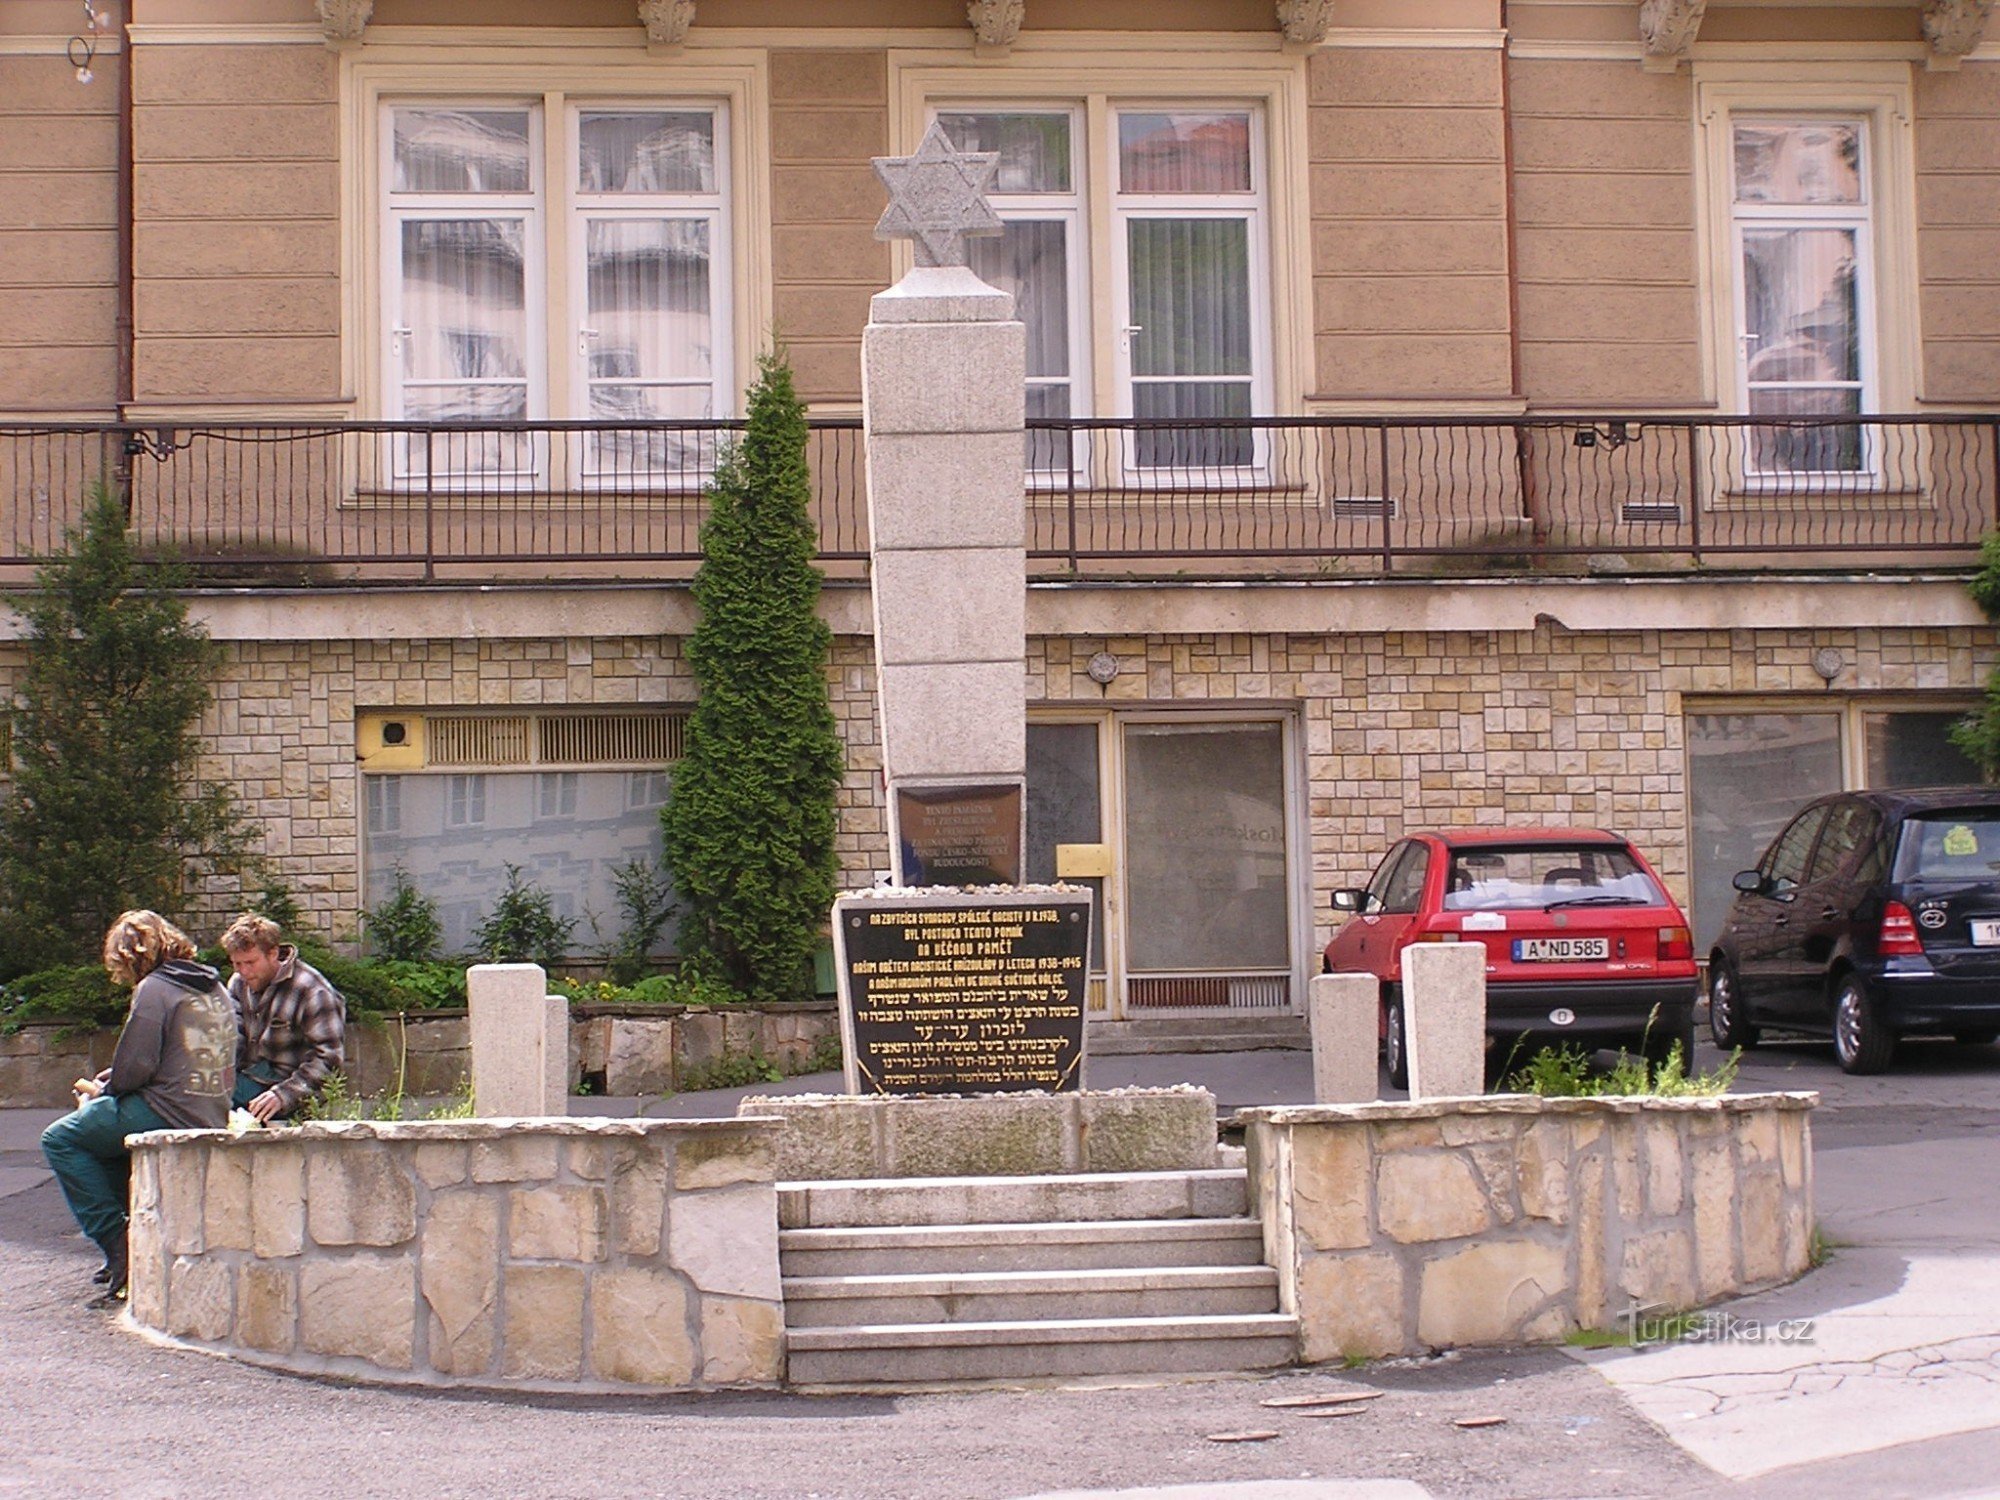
[[943, 379]]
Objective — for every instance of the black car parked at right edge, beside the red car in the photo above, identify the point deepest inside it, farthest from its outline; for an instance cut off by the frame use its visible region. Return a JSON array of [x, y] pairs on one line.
[[1871, 917]]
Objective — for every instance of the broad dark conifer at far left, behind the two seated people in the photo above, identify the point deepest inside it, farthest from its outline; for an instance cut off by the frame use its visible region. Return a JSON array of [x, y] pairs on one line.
[[107, 811]]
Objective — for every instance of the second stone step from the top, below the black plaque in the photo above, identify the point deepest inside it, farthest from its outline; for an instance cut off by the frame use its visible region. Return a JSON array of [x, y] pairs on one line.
[[987, 1249]]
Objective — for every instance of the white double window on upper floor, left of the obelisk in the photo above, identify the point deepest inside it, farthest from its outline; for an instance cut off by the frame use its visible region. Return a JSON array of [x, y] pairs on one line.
[[473, 233]]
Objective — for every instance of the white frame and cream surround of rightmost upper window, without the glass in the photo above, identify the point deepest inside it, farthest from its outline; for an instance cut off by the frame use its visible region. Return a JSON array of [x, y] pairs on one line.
[[1877, 97]]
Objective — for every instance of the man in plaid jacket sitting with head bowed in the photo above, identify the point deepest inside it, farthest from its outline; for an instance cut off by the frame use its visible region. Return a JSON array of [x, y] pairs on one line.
[[291, 1021]]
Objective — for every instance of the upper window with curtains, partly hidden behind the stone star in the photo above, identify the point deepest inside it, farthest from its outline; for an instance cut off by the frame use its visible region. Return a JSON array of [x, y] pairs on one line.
[[1179, 197]]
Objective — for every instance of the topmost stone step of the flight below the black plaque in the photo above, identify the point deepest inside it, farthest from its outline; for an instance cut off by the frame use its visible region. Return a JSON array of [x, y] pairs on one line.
[[1221, 1193]]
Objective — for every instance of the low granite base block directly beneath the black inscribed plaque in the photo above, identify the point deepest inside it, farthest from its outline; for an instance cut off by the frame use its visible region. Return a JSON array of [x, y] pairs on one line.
[[841, 1137]]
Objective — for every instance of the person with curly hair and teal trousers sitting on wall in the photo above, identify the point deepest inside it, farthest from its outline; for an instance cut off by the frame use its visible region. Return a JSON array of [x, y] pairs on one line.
[[173, 1069]]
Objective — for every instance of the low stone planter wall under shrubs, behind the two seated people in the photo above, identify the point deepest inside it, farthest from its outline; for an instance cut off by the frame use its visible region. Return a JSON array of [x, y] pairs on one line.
[[619, 1049]]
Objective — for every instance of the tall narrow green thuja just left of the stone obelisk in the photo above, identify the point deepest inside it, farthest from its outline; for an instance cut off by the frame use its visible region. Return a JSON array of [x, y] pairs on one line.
[[751, 815]]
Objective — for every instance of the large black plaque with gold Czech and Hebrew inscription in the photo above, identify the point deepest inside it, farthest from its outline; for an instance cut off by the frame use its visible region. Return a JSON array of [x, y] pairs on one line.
[[967, 999]]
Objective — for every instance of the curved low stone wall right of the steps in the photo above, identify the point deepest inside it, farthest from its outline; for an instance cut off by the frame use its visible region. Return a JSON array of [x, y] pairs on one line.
[[1401, 1229]]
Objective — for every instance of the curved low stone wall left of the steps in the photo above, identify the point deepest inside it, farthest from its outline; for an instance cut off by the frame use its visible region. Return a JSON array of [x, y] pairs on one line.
[[549, 1255]]
